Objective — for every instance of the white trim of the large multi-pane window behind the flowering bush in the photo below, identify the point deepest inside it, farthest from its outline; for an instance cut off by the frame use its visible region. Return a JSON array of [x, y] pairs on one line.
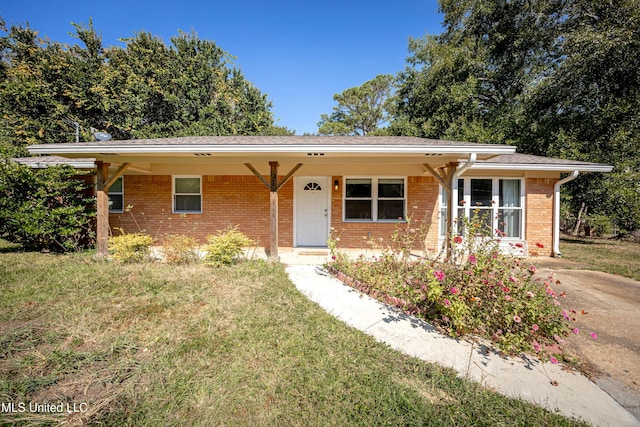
[[495, 207]]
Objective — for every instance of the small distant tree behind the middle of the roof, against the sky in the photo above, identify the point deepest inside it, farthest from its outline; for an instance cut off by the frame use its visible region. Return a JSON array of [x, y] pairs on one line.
[[361, 110]]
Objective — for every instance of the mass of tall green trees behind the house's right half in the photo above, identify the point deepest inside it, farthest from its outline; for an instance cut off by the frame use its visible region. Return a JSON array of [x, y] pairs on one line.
[[554, 78]]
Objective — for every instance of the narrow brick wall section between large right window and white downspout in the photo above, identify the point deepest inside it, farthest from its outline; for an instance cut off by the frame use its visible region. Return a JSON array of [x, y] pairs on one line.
[[539, 214]]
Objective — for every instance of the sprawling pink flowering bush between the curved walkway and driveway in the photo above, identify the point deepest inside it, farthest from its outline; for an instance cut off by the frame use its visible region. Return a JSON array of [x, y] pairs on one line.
[[477, 290]]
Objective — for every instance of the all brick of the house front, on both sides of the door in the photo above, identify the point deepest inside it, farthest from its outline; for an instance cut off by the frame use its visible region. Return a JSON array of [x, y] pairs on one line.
[[244, 201]]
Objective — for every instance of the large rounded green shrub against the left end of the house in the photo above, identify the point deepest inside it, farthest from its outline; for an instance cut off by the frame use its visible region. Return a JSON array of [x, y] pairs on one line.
[[45, 209]]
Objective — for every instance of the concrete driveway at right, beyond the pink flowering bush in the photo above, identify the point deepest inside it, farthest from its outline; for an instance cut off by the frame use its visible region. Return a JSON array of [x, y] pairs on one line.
[[609, 306]]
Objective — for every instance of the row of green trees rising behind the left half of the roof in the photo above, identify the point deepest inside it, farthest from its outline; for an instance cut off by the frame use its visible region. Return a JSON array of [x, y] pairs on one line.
[[142, 90]]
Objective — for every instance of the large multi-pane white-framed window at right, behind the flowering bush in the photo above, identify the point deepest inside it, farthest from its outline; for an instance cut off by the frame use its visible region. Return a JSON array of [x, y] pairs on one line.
[[498, 202]]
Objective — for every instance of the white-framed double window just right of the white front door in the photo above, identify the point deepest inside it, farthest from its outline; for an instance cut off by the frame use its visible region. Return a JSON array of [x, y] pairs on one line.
[[374, 199]]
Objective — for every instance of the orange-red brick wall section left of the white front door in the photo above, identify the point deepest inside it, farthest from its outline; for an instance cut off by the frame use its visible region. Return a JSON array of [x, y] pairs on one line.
[[226, 201]]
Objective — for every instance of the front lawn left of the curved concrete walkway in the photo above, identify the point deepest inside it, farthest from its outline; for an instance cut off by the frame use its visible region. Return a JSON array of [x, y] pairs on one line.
[[160, 345]]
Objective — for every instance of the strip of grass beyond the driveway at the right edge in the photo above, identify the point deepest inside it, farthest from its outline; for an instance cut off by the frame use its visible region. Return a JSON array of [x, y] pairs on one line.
[[607, 255]]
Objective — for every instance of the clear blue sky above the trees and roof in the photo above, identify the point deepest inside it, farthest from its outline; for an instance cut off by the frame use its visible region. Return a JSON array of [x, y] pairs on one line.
[[299, 53]]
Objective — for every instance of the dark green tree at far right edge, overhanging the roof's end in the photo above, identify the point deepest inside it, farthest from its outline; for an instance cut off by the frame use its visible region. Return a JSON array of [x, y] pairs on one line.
[[587, 108]]
